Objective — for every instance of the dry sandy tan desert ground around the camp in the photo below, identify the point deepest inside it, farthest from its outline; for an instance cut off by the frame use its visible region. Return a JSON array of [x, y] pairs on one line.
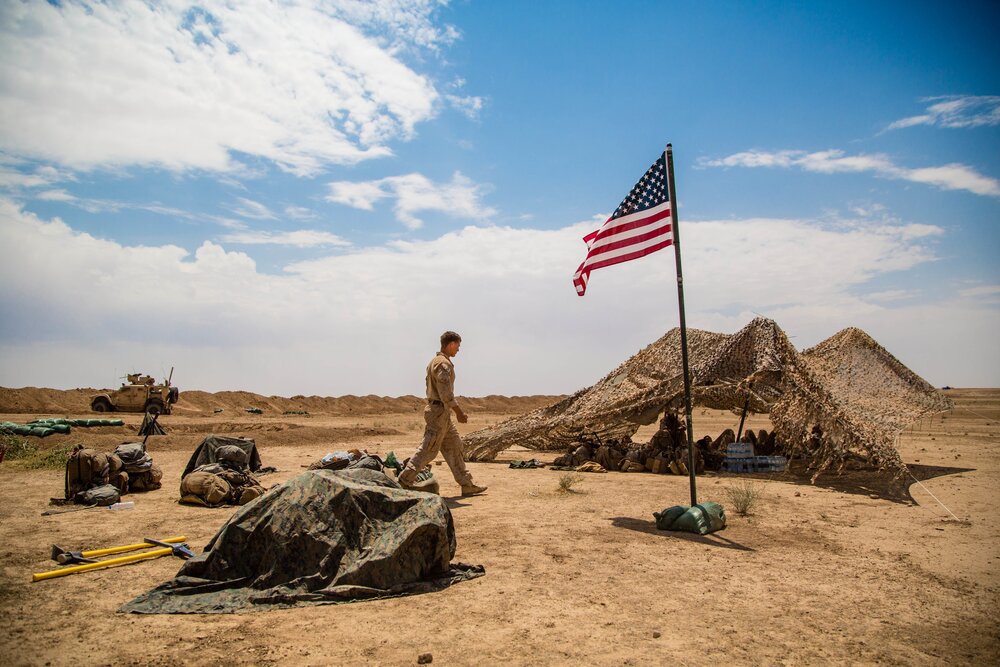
[[851, 570]]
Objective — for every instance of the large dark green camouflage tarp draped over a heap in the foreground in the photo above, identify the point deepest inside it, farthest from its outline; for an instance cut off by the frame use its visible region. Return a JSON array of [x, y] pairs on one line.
[[322, 537]]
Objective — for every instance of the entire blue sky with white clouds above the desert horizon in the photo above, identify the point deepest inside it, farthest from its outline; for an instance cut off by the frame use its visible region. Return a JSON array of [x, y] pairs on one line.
[[299, 197]]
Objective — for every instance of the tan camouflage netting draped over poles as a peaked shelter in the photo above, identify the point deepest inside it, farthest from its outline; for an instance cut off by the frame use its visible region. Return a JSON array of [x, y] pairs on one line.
[[848, 385]]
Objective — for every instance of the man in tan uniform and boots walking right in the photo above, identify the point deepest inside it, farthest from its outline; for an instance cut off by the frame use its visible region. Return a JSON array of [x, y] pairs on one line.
[[440, 433]]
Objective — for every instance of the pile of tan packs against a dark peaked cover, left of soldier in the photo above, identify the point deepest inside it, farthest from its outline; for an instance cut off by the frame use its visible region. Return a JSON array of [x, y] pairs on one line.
[[220, 472]]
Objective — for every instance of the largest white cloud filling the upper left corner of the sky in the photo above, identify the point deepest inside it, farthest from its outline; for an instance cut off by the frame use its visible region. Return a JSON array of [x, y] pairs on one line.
[[300, 83]]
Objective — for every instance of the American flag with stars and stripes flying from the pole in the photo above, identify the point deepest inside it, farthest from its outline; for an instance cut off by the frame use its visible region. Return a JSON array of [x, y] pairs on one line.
[[639, 226]]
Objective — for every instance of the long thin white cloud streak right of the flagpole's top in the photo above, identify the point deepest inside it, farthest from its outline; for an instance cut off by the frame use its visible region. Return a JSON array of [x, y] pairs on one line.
[[948, 177]]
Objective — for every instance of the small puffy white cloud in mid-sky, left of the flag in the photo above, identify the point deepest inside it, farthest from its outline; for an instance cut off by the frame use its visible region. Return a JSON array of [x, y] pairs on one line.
[[460, 198]]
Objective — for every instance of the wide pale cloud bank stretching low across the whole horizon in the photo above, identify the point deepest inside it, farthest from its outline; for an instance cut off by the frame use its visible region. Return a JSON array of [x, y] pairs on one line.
[[363, 321]]
